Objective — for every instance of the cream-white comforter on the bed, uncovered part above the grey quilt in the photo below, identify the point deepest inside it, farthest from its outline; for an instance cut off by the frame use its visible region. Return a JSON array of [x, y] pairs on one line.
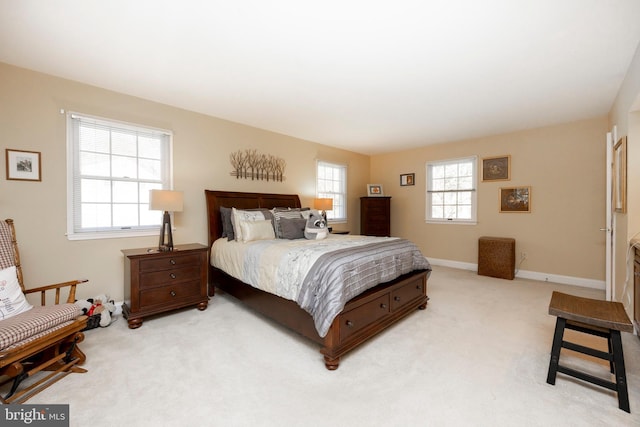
[[278, 266]]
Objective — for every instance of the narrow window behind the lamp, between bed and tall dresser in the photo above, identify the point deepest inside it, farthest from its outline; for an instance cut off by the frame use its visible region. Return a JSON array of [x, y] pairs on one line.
[[332, 184]]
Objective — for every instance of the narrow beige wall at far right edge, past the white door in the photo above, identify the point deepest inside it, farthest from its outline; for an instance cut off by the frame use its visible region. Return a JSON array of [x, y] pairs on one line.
[[625, 115]]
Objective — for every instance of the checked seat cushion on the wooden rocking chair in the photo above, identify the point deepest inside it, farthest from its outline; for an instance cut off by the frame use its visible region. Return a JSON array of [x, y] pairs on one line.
[[38, 321]]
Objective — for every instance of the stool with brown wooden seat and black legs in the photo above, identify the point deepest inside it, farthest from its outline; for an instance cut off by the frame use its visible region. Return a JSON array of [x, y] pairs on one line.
[[601, 318]]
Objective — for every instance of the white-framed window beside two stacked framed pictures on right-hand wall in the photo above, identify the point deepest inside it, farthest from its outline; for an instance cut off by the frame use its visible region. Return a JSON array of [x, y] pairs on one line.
[[451, 191]]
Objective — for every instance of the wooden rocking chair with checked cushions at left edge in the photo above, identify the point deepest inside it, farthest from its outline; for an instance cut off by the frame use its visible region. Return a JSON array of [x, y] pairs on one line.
[[43, 338]]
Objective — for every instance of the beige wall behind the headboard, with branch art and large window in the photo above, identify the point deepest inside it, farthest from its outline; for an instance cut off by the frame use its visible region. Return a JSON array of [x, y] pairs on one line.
[[30, 119]]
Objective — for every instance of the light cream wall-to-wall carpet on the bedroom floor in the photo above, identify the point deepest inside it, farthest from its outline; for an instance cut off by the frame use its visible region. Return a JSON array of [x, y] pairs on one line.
[[477, 356]]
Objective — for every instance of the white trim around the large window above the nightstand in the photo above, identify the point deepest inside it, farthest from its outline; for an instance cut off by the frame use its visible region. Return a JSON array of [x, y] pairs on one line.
[[111, 234]]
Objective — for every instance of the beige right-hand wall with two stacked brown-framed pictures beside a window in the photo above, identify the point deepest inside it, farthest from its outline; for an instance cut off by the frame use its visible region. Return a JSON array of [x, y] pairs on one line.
[[565, 167]]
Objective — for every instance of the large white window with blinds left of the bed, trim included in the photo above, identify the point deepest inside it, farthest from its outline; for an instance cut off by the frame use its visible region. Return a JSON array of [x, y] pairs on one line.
[[111, 167]]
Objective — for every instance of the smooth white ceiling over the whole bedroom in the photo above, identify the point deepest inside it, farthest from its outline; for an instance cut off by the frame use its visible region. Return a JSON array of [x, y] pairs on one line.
[[365, 75]]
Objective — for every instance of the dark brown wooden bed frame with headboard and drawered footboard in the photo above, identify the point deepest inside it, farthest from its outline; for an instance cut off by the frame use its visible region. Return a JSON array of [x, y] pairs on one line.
[[362, 317]]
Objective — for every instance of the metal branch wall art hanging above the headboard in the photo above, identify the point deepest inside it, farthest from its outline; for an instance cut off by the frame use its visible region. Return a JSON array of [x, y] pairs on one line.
[[250, 164]]
